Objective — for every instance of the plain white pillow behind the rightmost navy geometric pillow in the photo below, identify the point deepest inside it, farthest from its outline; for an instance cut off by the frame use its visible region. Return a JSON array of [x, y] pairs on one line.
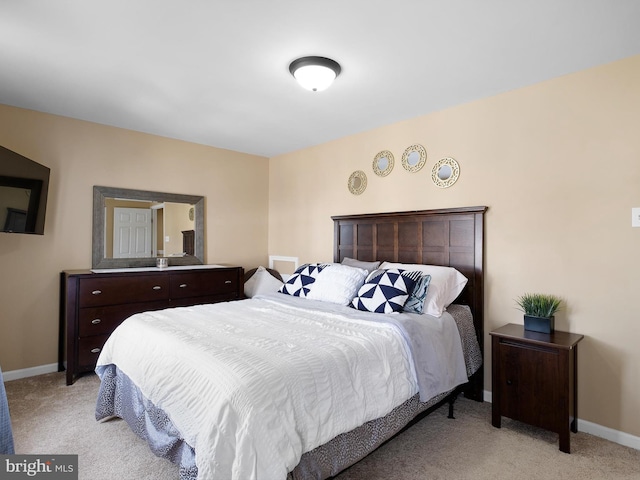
[[445, 285]]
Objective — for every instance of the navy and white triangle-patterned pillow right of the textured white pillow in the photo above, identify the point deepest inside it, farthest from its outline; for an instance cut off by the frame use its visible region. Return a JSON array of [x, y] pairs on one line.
[[385, 291]]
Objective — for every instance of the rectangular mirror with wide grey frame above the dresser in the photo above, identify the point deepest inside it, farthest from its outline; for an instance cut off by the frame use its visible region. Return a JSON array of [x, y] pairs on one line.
[[133, 227]]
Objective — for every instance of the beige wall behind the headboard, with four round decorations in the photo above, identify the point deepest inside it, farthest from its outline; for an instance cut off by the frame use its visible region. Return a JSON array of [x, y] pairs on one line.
[[558, 165]]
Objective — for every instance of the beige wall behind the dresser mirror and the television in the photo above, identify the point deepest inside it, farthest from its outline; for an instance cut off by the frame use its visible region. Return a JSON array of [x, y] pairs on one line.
[[81, 155]]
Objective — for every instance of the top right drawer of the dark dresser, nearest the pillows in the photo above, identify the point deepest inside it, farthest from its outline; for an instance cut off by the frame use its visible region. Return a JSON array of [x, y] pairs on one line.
[[212, 282]]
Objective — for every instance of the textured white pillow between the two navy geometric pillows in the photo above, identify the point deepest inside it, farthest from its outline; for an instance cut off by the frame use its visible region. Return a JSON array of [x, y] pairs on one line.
[[337, 283]]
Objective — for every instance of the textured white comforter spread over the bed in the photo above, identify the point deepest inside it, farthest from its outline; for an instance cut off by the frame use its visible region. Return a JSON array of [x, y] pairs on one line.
[[254, 384]]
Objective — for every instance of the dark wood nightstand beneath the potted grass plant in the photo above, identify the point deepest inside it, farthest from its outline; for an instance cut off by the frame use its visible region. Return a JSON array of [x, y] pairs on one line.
[[535, 379]]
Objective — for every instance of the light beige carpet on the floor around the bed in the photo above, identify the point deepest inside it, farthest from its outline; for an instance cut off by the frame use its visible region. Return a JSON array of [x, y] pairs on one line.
[[50, 418]]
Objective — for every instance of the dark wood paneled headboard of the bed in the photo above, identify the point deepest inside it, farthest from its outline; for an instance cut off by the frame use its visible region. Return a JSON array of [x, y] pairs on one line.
[[451, 237]]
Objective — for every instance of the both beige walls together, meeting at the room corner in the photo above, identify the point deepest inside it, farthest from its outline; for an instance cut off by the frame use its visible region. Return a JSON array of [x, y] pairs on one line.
[[557, 164]]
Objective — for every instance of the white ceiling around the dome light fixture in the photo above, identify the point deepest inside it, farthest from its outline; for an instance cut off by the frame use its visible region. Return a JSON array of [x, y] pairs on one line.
[[215, 72]]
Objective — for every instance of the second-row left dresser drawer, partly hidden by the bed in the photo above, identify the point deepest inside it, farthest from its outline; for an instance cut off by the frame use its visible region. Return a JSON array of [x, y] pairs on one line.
[[104, 320]]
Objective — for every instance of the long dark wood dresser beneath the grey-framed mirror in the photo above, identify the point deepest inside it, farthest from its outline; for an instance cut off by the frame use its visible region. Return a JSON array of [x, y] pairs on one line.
[[92, 305]]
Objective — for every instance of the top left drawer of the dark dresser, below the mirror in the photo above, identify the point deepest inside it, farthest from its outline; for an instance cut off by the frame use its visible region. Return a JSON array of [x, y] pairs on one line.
[[119, 290]]
